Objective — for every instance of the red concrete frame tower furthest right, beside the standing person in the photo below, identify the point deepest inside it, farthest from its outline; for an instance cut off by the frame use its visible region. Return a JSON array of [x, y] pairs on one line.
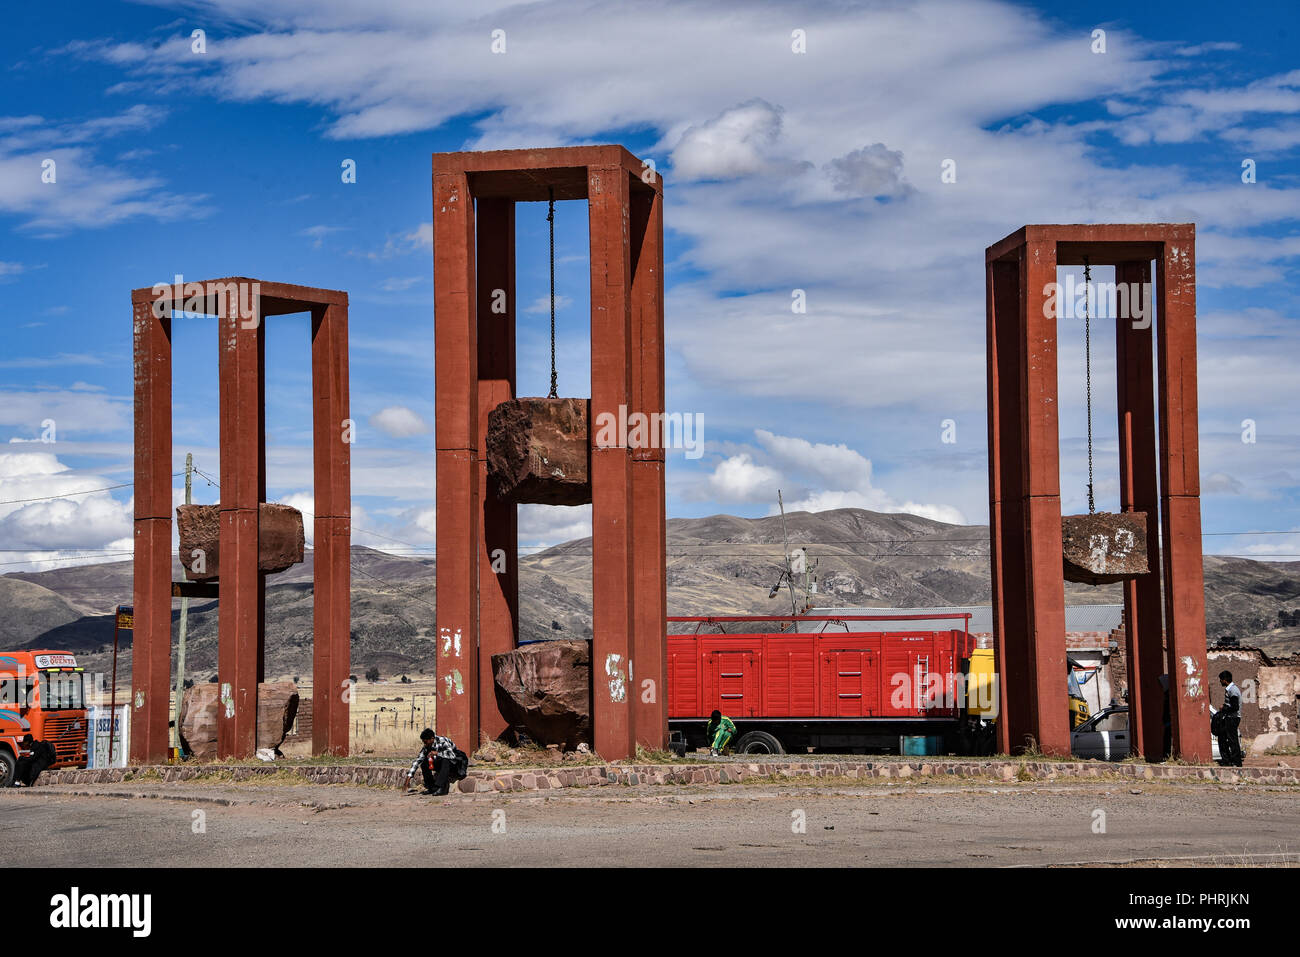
[[1025, 483]]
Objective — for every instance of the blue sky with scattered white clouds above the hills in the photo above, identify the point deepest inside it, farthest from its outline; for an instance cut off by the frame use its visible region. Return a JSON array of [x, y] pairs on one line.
[[783, 171]]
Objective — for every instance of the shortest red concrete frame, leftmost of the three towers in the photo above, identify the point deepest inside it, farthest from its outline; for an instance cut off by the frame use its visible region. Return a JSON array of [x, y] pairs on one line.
[[241, 306]]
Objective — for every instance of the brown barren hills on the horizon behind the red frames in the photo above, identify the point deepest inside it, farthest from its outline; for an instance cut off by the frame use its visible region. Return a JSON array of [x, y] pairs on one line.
[[717, 565]]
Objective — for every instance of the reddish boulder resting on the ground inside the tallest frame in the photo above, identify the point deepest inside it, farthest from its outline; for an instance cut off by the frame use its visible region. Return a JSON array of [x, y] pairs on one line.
[[545, 687]]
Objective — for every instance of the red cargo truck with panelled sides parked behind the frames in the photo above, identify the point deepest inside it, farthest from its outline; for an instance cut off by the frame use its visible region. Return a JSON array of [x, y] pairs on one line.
[[820, 686]]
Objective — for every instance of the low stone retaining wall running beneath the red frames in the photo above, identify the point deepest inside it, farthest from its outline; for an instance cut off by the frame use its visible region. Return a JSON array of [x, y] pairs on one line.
[[484, 781]]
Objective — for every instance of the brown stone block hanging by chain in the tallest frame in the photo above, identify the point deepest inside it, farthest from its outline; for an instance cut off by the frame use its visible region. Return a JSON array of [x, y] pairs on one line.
[[539, 452]]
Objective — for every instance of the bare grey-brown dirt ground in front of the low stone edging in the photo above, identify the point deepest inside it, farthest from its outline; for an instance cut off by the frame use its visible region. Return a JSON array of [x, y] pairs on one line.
[[756, 825]]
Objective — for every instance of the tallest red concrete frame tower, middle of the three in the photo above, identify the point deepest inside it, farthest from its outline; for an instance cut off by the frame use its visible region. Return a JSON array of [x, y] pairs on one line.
[[478, 608]]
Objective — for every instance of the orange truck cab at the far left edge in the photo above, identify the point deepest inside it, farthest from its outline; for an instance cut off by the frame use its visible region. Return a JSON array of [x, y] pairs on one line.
[[42, 694]]
